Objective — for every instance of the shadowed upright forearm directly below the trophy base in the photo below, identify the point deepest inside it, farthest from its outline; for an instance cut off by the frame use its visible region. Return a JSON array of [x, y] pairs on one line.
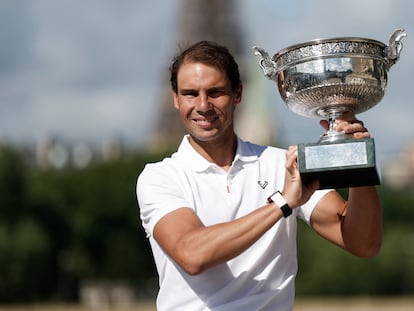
[[362, 224]]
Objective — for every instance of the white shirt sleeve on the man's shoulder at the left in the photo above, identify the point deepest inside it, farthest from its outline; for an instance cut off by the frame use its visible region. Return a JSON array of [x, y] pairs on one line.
[[158, 192]]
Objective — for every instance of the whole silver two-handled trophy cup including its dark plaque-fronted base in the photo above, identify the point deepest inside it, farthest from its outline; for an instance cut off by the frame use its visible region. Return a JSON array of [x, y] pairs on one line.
[[327, 78]]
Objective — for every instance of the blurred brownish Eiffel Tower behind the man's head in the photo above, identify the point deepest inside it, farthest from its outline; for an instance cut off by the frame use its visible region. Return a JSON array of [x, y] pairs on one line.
[[215, 20]]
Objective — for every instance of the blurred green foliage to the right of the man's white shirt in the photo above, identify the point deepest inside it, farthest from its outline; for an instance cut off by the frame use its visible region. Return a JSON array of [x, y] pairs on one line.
[[325, 269]]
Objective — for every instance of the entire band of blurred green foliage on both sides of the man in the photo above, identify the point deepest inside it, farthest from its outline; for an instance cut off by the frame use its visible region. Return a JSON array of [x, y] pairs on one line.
[[60, 227]]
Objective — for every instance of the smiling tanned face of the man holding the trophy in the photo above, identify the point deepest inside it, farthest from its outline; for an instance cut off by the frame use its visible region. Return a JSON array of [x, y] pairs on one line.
[[205, 101]]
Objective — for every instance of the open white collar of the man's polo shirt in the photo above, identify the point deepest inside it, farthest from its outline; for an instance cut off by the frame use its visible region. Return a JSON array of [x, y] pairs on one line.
[[188, 155]]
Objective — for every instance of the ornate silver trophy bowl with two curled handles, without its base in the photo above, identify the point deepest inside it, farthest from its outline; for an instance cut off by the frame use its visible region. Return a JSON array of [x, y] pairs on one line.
[[322, 76]]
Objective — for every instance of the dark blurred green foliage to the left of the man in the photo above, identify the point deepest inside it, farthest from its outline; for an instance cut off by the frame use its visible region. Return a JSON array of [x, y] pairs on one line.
[[60, 227]]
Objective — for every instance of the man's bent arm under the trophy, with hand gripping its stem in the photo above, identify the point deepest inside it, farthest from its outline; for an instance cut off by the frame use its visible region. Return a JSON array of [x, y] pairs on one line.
[[355, 224]]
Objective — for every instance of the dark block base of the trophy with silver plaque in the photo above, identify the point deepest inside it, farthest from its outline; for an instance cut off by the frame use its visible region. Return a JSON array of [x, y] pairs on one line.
[[348, 163]]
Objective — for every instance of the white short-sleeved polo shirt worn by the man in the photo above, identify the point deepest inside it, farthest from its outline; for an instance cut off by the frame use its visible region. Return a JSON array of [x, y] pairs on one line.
[[262, 277]]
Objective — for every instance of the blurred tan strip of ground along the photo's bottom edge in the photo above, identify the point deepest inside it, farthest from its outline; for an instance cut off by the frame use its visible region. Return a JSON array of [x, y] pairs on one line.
[[319, 304]]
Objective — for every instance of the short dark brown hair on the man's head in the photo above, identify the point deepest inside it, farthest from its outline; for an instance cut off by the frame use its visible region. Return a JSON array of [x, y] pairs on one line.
[[208, 53]]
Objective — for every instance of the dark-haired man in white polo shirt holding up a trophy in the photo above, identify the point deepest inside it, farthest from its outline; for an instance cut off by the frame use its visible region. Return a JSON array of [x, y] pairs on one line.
[[222, 237]]
